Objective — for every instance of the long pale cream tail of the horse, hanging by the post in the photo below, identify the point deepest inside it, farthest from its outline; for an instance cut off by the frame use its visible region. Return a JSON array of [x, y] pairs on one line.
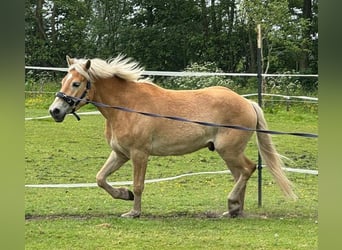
[[270, 156]]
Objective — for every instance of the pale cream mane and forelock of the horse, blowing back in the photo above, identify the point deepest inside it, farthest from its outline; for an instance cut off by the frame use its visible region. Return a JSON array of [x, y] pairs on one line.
[[120, 66]]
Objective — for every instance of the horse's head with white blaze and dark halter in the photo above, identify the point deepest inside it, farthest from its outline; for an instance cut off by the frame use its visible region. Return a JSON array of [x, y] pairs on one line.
[[74, 91]]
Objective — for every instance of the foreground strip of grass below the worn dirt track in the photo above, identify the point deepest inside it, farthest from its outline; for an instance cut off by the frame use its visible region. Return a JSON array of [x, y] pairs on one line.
[[171, 233]]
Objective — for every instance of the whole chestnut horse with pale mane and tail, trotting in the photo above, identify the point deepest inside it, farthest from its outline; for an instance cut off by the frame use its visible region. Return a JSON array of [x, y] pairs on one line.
[[132, 136]]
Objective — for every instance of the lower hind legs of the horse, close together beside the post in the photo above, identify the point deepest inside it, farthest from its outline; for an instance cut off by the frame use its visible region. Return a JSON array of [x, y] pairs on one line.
[[242, 168]]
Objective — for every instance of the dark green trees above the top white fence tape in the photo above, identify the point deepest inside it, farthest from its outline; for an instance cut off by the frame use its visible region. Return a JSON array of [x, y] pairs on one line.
[[171, 35]]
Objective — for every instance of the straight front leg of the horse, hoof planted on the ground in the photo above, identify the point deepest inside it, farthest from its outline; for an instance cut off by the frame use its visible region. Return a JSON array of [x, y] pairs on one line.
[[139, 160]]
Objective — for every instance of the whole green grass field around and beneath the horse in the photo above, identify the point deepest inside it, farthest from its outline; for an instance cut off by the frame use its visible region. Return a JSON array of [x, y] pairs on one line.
[[178, 214]]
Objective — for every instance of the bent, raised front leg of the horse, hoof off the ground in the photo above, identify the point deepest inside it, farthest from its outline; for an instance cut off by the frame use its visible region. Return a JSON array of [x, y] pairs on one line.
[[113, 163]]
